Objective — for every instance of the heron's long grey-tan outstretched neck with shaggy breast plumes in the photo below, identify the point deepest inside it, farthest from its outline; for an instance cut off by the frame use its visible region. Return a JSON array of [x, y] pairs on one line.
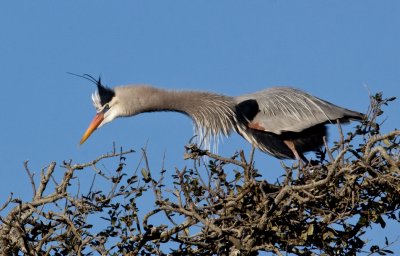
[[212, 114]]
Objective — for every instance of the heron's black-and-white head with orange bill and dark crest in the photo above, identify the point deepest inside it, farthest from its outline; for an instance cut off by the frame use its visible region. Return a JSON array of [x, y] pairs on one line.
[[107, 107]]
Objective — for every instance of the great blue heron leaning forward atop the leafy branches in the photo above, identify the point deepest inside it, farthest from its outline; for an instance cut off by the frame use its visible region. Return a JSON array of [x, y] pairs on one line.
[[281, 121]]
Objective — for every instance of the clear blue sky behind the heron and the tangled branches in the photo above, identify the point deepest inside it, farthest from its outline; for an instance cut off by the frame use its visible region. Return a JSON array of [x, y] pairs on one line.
[[336, 51]]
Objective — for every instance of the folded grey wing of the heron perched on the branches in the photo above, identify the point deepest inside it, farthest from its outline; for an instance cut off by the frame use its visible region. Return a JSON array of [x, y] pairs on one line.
[[287, 109]]
